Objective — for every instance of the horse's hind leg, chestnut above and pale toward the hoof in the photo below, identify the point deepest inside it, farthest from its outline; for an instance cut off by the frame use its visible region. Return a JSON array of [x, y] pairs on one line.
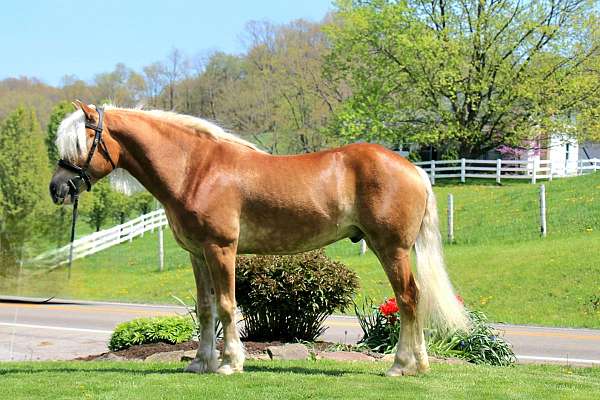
[[411, 352]]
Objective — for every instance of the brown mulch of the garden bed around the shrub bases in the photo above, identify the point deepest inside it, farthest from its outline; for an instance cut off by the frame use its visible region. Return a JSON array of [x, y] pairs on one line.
[[142, 351]]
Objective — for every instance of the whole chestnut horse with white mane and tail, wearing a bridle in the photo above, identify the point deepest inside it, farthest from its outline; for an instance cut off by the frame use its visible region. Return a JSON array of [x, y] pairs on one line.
[[223, 196]]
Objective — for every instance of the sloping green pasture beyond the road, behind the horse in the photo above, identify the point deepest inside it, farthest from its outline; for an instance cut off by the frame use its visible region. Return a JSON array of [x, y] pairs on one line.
[[498, 262]]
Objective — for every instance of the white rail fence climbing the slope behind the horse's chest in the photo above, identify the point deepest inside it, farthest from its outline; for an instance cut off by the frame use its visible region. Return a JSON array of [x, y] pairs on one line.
[[101, 240]]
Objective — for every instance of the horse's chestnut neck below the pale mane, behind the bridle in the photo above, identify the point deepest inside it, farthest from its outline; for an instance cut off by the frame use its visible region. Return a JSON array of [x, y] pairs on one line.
[[156, 154]]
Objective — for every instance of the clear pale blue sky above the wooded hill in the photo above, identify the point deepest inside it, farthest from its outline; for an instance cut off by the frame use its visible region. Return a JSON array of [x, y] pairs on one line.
[[48, 39]]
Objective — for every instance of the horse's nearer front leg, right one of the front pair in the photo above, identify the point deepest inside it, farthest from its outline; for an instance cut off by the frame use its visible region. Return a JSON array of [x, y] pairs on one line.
[[221, 261]]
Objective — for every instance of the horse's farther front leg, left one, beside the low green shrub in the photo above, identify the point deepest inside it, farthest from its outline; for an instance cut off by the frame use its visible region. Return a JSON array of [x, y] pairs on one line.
[[207, 356]]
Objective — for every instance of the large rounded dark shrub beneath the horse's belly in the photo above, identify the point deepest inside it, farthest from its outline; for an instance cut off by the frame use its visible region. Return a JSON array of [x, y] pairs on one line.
[[288, 297]]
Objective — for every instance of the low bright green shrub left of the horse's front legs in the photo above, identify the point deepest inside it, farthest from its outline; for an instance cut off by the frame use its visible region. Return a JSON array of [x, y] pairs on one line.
[[172, 330]]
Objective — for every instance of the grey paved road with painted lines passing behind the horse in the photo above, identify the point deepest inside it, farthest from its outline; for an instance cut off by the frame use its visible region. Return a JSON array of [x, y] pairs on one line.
[[67, 329]]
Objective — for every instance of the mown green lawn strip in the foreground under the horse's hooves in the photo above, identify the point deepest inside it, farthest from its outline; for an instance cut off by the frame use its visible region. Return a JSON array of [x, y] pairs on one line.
[[291, 380]]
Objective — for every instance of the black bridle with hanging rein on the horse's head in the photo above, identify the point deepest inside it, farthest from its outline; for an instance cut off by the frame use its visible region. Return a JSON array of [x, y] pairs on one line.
[[82, 174]]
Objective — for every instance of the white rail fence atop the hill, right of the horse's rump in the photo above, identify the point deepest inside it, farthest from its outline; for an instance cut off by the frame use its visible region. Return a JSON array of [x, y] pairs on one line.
[[531, 170]]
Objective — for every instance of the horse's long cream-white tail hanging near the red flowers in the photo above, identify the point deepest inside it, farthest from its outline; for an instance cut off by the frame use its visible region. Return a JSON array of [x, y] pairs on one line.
[[437, 302]]
